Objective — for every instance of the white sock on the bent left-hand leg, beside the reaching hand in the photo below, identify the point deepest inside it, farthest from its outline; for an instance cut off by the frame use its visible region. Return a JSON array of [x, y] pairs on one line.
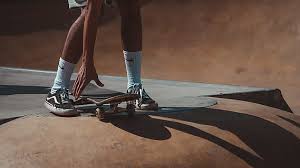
[[63, 75]]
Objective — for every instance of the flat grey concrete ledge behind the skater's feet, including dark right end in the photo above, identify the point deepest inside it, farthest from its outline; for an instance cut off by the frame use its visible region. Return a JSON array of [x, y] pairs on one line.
[[22, 93]]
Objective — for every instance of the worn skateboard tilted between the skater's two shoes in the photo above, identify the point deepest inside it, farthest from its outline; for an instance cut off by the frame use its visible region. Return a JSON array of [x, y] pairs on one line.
[[105, 107]]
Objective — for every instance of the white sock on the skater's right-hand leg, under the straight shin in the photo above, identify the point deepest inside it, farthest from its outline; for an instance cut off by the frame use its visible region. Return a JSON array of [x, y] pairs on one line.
[[133, 62]]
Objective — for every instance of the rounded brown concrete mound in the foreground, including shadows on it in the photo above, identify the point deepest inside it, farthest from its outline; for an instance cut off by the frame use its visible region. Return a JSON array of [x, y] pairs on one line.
[[232, 134]]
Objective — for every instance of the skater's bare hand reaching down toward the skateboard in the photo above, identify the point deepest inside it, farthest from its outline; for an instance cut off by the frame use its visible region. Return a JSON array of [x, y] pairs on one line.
[[86, 74]]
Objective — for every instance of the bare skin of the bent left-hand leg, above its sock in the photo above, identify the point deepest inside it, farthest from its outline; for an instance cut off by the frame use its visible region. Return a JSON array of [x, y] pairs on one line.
[[72, 50]]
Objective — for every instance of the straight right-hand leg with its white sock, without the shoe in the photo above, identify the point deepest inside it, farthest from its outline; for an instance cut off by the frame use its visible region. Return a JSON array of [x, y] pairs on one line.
[[131, 32]]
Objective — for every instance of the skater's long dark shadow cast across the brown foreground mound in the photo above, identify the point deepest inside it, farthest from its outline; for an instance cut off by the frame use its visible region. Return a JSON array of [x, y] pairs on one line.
[[275, 146]]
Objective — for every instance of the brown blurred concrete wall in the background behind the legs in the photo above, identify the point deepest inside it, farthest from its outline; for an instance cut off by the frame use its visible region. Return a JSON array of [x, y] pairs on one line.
[[251, 42]]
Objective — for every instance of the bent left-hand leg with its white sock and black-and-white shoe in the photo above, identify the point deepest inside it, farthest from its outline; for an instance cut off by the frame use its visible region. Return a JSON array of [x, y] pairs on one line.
[[57, 100]]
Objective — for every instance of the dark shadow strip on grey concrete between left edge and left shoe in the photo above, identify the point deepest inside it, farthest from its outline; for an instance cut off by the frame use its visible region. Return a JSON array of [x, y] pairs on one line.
[[18, 89]]
